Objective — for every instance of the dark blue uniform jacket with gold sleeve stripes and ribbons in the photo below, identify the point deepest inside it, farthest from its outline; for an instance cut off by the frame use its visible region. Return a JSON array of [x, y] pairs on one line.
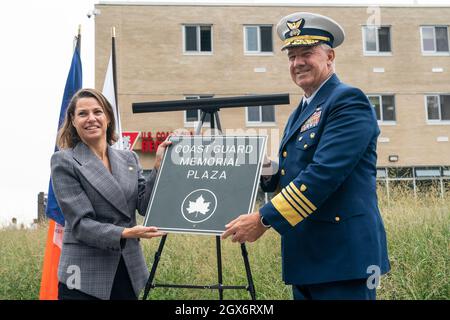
[[326, 204]]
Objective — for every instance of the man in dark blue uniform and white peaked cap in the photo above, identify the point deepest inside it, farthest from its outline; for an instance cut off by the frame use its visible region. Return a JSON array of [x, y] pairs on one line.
[[332, 235]]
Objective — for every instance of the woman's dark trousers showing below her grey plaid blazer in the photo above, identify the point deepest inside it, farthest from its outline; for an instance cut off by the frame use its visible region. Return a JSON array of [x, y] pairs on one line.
[[122, 288]]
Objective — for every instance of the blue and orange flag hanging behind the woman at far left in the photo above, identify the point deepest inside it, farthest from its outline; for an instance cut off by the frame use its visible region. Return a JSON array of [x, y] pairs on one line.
[[49, 280]]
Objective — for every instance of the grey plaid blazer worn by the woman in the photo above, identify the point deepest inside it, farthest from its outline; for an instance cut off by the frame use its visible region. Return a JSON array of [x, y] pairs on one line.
[[97, 206]]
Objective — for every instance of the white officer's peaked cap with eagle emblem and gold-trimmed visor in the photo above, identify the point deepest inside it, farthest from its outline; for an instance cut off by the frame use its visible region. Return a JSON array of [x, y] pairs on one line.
[[309, 29]]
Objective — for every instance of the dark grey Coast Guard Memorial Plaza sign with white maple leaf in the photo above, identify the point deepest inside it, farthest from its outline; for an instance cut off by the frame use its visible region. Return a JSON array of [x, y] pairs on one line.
[[205, 182]]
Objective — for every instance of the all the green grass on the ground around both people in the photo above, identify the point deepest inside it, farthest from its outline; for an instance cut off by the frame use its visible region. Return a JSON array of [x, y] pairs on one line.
[[418, 231]]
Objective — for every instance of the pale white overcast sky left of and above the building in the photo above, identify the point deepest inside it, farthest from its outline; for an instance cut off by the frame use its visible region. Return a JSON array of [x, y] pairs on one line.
[[36, 39]]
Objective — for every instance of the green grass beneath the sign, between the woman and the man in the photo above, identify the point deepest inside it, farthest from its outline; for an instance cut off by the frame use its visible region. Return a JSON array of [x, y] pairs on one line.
[[192, 259]]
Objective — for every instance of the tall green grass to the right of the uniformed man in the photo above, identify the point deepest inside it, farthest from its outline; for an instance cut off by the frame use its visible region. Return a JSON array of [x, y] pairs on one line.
[[418, 230]]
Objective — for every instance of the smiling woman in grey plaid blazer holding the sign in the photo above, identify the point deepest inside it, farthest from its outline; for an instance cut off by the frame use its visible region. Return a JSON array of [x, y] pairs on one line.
[[98, 189]]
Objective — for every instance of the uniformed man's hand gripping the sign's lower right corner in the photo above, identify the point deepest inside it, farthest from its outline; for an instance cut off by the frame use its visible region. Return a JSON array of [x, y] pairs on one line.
[[246, 227]]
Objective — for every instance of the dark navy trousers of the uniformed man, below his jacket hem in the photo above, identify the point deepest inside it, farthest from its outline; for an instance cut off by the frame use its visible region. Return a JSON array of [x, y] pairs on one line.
[[341, 290]]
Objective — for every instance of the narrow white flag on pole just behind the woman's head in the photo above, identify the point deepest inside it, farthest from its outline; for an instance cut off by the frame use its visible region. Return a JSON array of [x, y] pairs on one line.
[[110, 91]]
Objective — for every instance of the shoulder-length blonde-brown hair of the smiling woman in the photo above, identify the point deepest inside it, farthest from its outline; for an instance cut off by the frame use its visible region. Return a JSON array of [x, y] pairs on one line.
[[67, 134]]
